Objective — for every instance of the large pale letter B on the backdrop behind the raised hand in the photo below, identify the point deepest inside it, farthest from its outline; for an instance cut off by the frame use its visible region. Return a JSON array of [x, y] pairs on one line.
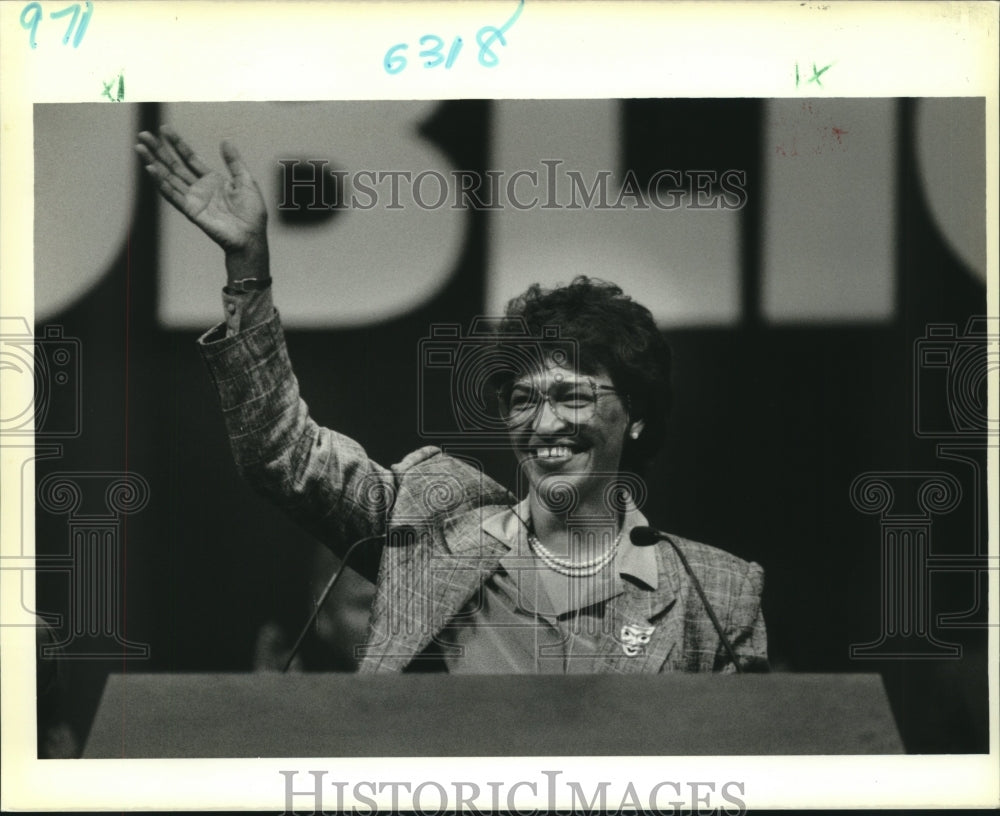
[[361, 266]]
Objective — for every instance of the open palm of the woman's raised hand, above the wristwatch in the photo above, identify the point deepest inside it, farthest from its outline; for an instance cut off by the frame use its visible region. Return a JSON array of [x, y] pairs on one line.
[[227, 207]]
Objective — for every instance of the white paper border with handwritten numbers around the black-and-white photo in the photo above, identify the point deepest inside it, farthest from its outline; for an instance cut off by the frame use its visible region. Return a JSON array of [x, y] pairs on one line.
[[313, 50]]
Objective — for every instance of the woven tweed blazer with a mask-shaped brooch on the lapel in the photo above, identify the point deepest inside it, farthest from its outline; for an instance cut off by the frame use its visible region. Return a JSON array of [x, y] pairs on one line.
[[430, 508]]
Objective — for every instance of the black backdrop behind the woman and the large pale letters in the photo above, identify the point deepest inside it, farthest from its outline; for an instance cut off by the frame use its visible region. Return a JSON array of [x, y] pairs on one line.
[[771, 426]]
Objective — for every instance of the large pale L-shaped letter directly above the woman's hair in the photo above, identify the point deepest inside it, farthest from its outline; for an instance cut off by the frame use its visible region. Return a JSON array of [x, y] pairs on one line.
[[682, 263]]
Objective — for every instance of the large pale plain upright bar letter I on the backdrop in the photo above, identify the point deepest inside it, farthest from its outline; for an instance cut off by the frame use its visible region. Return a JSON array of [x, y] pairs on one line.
[[829, 210]]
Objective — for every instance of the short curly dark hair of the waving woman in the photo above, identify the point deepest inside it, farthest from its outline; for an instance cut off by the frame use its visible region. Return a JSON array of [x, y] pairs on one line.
[[613, 332]]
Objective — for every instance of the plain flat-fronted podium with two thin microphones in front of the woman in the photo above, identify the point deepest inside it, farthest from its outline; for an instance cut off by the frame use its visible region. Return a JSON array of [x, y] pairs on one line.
[[349, 715]]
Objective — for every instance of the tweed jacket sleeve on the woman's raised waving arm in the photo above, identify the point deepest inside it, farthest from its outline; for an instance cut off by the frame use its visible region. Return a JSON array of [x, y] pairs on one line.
[[322, 479]]
